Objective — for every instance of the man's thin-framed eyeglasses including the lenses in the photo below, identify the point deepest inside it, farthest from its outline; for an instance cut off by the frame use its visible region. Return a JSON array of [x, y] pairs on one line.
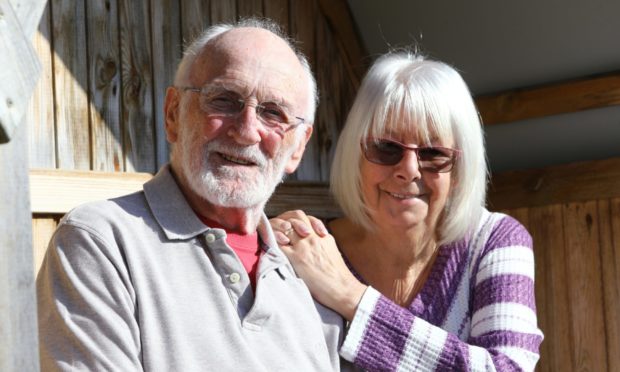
[[219, 101]]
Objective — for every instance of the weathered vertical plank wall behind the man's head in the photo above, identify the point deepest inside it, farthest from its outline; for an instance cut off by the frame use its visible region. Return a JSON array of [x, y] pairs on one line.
[[107, 64]]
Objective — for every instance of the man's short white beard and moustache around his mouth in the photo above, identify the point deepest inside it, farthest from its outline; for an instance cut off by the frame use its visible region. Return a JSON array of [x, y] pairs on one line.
[[226, 186]]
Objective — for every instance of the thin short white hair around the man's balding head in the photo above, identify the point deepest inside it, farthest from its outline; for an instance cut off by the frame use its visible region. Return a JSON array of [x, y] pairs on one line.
[[193, 50]]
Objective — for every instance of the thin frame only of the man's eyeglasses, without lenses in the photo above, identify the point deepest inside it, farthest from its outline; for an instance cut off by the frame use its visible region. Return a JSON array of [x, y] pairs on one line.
[[258, 107]]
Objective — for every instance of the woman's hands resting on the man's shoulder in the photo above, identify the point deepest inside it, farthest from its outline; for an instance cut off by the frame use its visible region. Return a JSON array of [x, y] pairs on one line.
[[317, 260]]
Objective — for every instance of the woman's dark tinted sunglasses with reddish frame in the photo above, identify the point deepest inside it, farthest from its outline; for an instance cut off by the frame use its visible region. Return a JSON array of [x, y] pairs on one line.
[[389, 152]]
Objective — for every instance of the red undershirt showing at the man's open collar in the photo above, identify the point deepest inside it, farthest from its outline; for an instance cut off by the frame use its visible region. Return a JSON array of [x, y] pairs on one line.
[[246, 247]]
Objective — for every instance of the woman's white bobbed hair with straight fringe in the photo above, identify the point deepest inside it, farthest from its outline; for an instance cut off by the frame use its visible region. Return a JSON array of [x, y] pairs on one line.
[[406, 93]]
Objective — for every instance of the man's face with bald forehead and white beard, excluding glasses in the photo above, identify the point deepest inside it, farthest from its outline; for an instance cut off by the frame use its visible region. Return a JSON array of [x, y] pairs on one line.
[[238, 161]]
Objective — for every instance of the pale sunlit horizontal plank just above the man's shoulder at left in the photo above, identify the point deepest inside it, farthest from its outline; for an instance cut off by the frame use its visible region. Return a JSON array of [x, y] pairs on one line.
[[54, 191]]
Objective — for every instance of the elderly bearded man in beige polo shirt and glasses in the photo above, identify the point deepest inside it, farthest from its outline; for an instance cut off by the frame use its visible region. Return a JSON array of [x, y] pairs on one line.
[[186, 275]]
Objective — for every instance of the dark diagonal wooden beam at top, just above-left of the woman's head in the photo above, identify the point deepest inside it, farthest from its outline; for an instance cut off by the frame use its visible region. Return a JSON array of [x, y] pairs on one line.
[[344, 31]]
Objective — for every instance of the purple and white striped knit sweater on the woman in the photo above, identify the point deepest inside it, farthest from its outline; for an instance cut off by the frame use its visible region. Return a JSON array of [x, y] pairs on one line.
[[476, 312]]
